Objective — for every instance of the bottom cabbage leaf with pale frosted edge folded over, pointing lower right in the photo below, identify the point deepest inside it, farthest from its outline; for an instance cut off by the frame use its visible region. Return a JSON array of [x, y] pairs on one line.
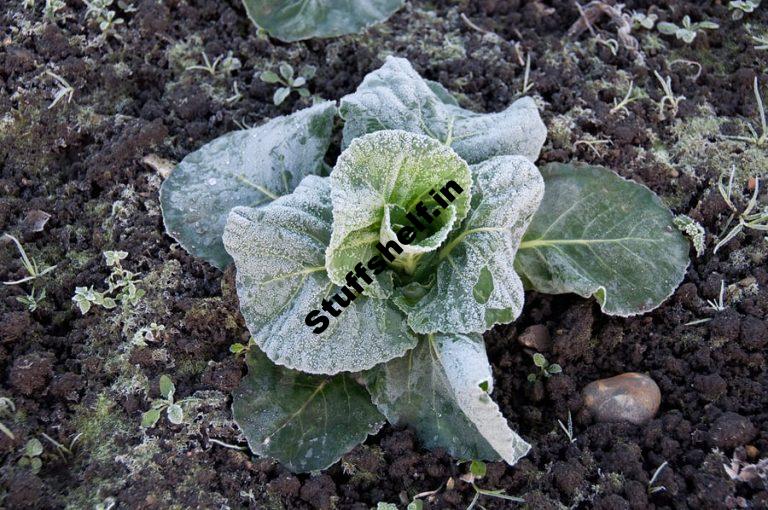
[[441, 389]]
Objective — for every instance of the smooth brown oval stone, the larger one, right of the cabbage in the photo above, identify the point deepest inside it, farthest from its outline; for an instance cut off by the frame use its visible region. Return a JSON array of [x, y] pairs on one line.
[[631, 397]]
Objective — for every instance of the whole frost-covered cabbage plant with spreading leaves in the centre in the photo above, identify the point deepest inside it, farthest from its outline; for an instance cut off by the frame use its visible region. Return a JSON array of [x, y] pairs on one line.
[[409, 347]]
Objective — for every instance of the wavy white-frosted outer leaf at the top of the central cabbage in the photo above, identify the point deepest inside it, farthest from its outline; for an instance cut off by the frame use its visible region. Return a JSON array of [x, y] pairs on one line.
[[396, 97]]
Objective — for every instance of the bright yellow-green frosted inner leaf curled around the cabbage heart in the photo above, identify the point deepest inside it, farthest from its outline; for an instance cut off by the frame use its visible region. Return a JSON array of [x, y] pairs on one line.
[[379, 179]]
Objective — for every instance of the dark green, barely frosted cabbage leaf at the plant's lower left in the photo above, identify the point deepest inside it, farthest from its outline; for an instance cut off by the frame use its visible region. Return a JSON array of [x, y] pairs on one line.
[[306, 422]]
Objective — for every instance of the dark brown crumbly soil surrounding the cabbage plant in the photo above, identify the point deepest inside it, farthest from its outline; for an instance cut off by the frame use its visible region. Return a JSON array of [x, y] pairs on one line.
[[81, 162]]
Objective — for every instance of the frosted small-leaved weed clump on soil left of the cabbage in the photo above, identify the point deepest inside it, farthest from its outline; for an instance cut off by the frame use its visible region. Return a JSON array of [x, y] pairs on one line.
[[120, 283]]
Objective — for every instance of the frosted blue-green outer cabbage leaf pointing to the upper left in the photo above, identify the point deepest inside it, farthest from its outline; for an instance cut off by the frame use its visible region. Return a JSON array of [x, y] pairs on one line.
[[248, 167]]
